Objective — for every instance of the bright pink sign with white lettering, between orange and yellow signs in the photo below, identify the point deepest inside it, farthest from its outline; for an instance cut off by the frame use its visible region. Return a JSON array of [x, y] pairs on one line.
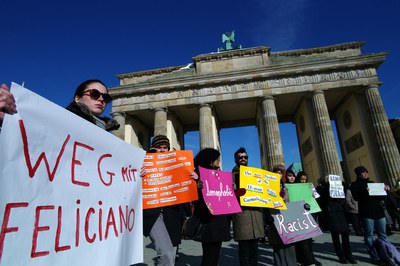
[[218, 192]]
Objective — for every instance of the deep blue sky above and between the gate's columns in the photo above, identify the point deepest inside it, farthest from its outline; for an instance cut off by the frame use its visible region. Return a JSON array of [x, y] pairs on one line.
[[52, 46]]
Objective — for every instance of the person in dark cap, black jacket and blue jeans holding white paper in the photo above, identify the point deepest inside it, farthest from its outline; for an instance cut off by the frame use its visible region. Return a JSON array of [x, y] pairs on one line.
[[370, 210]]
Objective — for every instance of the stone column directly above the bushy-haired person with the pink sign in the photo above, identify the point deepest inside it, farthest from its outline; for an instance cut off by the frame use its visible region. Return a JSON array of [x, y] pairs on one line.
[[206, 126]]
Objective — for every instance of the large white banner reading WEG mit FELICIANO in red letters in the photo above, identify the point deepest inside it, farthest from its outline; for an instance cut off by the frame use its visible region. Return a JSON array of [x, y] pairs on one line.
[[70, 192]]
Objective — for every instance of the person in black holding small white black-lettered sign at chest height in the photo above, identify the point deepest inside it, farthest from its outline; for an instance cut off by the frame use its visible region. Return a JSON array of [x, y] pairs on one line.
[[338, 224]]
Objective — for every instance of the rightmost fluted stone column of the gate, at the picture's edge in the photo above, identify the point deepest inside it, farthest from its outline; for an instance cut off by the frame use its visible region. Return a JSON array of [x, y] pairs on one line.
[[384, 136]]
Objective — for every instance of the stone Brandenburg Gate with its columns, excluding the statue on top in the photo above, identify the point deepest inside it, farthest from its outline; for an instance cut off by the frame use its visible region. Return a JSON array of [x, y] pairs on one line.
[[254, 86]]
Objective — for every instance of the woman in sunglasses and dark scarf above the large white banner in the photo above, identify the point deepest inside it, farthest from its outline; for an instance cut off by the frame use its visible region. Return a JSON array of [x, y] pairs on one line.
[[90, 100]]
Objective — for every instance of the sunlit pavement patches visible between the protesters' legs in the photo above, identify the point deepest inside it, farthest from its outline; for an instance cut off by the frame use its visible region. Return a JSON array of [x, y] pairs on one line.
[[190, 251]]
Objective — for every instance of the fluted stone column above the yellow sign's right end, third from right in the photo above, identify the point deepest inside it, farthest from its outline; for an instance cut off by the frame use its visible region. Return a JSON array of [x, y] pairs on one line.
[[273, 146]]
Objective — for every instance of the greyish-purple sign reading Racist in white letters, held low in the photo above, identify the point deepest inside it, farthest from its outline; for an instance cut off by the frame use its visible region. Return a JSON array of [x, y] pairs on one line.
[[295, 223]]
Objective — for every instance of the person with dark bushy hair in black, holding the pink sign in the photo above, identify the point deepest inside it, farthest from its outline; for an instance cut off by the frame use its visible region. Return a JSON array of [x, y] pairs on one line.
[[216, 228]]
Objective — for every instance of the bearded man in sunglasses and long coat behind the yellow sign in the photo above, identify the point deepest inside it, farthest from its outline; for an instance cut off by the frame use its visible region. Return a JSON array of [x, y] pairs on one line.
[[248, 225]]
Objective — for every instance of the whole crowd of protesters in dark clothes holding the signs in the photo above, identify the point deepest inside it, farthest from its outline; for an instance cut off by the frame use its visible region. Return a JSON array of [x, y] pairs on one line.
[[369, 215]]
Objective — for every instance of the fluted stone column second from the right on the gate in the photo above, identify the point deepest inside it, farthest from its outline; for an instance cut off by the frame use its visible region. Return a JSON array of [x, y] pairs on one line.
[[329, 158]]
